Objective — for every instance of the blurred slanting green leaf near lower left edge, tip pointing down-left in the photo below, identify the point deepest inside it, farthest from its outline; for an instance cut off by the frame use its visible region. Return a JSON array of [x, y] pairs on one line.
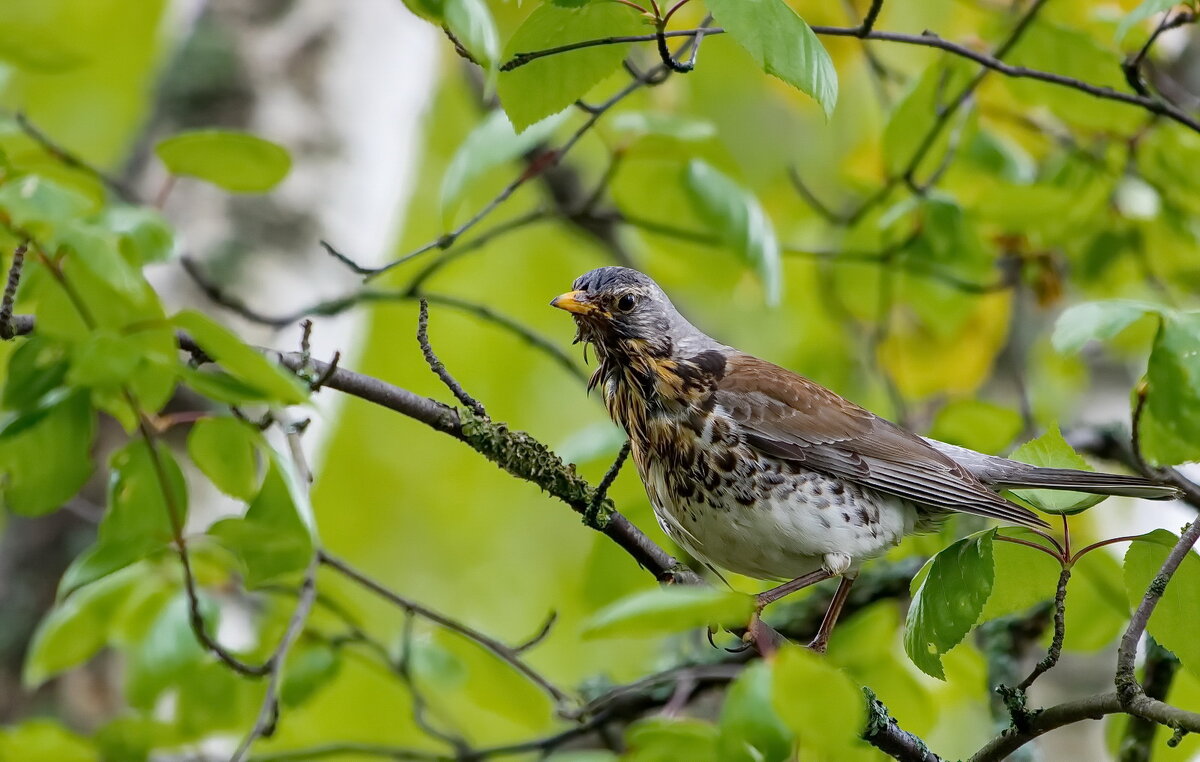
[[76, 629]]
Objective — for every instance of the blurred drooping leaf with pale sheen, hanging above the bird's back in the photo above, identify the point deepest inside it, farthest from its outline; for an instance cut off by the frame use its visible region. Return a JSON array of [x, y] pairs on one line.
[[739, 219]]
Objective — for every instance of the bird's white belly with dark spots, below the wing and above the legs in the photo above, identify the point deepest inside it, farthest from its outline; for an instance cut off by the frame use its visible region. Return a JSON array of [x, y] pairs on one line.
[[771, 520]]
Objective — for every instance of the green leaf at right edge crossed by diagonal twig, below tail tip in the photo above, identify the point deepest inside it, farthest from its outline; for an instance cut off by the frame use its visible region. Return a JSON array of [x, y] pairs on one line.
[[1174, 623]]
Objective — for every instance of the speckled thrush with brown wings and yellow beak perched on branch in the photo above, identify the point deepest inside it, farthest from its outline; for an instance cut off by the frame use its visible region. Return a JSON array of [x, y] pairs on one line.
[[753, 469]]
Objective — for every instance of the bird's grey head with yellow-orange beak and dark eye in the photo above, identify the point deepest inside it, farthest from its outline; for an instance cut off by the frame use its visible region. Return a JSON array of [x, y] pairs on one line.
[[620, 310]]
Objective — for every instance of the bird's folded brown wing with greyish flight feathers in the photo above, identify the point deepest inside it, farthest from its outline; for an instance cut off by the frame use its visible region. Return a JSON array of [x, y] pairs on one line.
[[789, 417]]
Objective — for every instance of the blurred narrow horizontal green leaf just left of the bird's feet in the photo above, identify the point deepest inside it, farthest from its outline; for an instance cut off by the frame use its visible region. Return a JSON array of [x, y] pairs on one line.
[[665, 610]]
